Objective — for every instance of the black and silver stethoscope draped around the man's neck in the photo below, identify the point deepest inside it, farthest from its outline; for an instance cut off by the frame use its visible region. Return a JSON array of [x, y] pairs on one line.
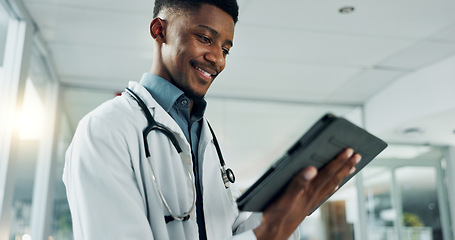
[[226, 174]]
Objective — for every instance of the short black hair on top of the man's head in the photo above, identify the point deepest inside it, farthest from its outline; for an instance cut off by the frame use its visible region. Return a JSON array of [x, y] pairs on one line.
[[229, 6]]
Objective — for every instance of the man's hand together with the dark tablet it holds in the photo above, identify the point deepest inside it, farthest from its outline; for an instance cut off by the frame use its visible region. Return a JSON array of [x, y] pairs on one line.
[[314, 168]]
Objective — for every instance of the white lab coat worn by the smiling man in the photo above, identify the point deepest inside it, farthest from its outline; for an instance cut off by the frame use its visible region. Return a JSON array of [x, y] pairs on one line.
[[105, 187]]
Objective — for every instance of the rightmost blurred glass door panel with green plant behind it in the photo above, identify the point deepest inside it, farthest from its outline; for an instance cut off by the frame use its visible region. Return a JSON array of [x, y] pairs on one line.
[[403, 191]]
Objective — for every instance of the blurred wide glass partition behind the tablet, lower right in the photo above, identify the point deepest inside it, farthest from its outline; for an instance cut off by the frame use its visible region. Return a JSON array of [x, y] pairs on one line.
[[403, 198]]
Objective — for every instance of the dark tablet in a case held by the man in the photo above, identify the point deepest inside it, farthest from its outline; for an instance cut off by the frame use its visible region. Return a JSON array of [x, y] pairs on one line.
[[319, 145]]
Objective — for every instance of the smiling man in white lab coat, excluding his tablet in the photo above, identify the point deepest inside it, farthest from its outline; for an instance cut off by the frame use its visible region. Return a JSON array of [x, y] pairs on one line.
[[116, 192]]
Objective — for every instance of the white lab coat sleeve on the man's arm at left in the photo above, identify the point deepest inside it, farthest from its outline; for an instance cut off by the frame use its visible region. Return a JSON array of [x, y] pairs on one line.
[[102, 192]]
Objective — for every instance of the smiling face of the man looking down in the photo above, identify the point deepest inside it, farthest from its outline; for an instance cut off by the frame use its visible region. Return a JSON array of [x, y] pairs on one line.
[[195, 48]]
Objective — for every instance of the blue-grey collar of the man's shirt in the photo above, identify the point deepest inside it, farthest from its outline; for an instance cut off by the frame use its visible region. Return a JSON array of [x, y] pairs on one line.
[[166, 94]]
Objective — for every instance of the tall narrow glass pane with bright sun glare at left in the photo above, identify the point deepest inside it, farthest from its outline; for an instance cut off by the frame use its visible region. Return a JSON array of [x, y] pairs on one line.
[[32, 117]]
